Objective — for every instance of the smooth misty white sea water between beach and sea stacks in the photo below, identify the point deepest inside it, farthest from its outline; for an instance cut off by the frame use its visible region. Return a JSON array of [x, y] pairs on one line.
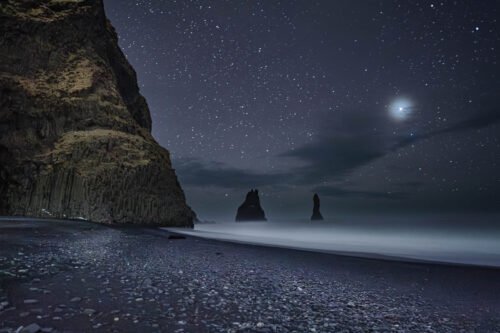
[[470, 240]]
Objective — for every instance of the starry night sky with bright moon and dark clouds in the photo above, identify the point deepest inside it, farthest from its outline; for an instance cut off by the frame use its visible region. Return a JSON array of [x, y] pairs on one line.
[[378, 106]]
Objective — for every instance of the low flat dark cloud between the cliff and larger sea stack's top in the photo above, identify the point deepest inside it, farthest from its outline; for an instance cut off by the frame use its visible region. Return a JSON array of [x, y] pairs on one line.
[[197, 173]]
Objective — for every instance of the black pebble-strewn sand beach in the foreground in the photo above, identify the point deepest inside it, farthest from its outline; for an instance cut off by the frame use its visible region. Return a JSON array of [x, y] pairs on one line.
[[70, 276]]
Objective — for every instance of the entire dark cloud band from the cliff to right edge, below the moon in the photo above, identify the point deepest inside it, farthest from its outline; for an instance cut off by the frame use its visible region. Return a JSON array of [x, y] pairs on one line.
[[330, 157]]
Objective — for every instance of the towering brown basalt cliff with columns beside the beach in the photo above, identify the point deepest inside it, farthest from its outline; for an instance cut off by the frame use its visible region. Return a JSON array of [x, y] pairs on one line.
[[75, 133]]
